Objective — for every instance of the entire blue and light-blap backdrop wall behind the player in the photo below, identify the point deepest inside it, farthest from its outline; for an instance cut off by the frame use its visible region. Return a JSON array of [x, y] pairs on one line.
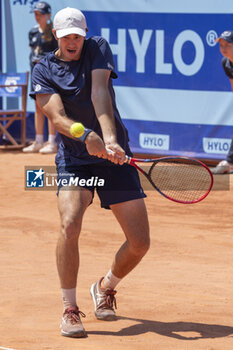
[[171, 91]]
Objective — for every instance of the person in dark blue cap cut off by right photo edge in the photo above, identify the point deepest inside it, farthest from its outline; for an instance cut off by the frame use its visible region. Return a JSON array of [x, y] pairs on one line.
[[226, 48]]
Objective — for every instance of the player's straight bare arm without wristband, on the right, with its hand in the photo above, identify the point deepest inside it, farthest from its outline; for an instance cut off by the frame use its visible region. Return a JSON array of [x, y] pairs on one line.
[[103, 108]]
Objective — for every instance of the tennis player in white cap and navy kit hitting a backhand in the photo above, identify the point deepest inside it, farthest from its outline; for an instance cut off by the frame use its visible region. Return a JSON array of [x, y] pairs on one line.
[[74, 83]]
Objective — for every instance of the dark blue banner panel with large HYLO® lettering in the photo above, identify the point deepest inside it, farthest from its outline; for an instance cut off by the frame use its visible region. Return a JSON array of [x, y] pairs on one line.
[[168, 51]]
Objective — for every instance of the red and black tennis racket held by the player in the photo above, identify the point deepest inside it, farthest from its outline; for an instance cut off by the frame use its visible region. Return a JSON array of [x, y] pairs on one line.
[[180, 179]]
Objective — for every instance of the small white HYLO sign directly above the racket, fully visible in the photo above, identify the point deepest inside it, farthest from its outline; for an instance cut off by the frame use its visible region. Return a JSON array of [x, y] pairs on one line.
[[154, 141]]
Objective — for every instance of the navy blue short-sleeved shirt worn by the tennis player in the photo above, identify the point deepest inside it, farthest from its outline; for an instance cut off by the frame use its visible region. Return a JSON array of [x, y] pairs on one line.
[[72, 81]]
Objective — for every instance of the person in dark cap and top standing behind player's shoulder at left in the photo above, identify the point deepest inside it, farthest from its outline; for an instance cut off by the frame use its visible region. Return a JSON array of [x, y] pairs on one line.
[[41, 41]]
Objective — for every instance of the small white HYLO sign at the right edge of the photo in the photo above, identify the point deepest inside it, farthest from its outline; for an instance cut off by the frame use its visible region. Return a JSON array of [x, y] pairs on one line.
[[216, 145]]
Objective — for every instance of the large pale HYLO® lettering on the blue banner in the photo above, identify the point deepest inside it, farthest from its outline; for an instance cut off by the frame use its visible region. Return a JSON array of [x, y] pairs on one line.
[[141, 47]]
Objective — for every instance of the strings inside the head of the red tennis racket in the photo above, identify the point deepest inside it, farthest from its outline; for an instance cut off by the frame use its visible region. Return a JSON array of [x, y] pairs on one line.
[[186, 182]]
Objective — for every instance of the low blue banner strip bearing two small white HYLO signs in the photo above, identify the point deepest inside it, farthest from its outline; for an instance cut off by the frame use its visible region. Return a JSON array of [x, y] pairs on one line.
[[169, 138]]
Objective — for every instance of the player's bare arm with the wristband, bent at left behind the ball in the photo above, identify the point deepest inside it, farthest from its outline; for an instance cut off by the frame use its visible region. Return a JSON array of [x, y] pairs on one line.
[[53, 108]]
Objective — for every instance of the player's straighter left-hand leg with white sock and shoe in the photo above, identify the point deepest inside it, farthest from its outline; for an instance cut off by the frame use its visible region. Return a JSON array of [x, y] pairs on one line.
[[71, 205]]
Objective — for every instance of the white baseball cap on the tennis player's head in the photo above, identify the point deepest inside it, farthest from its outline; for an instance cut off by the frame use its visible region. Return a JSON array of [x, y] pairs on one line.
[[69, 21]]
